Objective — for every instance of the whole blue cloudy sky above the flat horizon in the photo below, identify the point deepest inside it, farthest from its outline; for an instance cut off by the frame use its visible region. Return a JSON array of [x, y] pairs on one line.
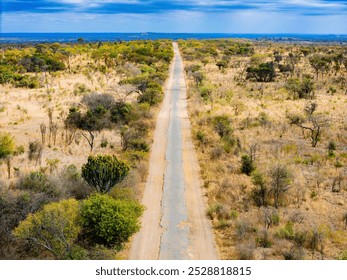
[[177, 16]]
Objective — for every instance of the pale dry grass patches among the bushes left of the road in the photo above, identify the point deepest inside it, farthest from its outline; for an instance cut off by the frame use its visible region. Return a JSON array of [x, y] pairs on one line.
[[24, 110]]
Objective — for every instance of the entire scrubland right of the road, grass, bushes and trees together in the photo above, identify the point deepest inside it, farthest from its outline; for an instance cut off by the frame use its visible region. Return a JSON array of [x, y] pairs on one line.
[[270, 128]]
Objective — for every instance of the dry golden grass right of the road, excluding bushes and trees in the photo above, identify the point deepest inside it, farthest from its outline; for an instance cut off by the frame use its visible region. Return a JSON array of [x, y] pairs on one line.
[[257, 112]]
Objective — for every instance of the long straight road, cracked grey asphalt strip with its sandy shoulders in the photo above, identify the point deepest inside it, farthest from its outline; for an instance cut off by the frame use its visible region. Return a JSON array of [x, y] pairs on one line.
[[174, 225]]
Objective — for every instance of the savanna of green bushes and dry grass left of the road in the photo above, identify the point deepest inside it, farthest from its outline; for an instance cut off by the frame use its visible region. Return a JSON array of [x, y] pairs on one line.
[[75, 128]]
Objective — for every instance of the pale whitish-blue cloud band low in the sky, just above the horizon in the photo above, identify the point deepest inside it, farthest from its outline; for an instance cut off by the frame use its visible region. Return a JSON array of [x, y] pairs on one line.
[[250, 21]]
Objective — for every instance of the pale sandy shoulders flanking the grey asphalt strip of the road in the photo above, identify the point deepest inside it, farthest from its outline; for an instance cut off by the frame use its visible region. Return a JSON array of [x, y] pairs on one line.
[[146, 244]]
